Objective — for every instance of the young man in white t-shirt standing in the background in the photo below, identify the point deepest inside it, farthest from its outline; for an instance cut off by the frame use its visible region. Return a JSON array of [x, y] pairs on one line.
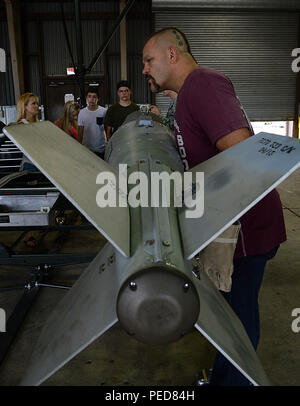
[[90, 124]]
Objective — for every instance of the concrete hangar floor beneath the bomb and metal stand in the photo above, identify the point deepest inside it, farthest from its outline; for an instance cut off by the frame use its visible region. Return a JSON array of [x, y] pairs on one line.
[[116, 359]]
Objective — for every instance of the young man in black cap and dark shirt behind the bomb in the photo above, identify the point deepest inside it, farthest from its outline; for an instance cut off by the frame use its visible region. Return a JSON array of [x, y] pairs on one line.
[[117, 113]]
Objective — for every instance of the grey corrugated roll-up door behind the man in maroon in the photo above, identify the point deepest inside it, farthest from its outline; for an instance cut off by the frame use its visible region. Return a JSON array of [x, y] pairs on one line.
[[252, 48]]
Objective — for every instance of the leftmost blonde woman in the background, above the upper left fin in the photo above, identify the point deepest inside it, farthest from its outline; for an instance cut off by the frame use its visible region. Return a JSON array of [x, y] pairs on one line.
[[27, 112]]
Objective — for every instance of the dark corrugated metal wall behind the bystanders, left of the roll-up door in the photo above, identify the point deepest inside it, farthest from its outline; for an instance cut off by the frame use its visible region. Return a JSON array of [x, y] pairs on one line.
[[43, 29]]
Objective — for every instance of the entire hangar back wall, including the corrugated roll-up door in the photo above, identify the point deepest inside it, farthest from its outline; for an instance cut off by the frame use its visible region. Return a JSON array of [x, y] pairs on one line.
[[251, 45]]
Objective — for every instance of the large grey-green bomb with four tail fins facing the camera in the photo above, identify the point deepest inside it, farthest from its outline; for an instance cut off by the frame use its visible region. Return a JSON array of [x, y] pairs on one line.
[[144, 276]]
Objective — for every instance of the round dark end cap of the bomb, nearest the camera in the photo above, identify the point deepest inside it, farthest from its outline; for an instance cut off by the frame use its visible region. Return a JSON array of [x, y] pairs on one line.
[[158, 306]]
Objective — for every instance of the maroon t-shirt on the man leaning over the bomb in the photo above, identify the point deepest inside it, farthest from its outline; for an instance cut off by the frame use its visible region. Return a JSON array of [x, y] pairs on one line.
[[207, 108]]
